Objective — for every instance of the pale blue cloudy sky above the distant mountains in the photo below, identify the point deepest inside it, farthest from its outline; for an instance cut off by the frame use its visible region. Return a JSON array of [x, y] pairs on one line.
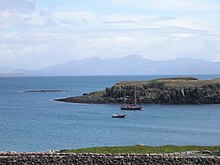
[[38, 33]]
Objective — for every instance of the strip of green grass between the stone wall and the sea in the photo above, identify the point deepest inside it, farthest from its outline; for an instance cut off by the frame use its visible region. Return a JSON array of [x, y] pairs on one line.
[[142, 149]]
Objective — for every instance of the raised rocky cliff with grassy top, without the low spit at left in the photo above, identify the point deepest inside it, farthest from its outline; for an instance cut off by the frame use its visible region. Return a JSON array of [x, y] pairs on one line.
[[176, 91]]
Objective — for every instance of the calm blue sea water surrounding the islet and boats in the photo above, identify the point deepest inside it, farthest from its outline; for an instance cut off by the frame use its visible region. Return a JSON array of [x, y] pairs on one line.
[[35, 122]]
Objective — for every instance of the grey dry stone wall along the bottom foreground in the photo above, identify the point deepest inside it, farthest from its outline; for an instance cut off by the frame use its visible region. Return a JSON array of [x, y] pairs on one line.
[[50, 158]]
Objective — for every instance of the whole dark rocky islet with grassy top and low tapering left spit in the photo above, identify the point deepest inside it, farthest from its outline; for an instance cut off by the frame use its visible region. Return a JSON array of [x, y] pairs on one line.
[[179, 90]]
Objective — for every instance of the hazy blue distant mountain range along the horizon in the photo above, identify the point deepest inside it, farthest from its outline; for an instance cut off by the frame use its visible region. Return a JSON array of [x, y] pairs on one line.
[[130, 65]]
